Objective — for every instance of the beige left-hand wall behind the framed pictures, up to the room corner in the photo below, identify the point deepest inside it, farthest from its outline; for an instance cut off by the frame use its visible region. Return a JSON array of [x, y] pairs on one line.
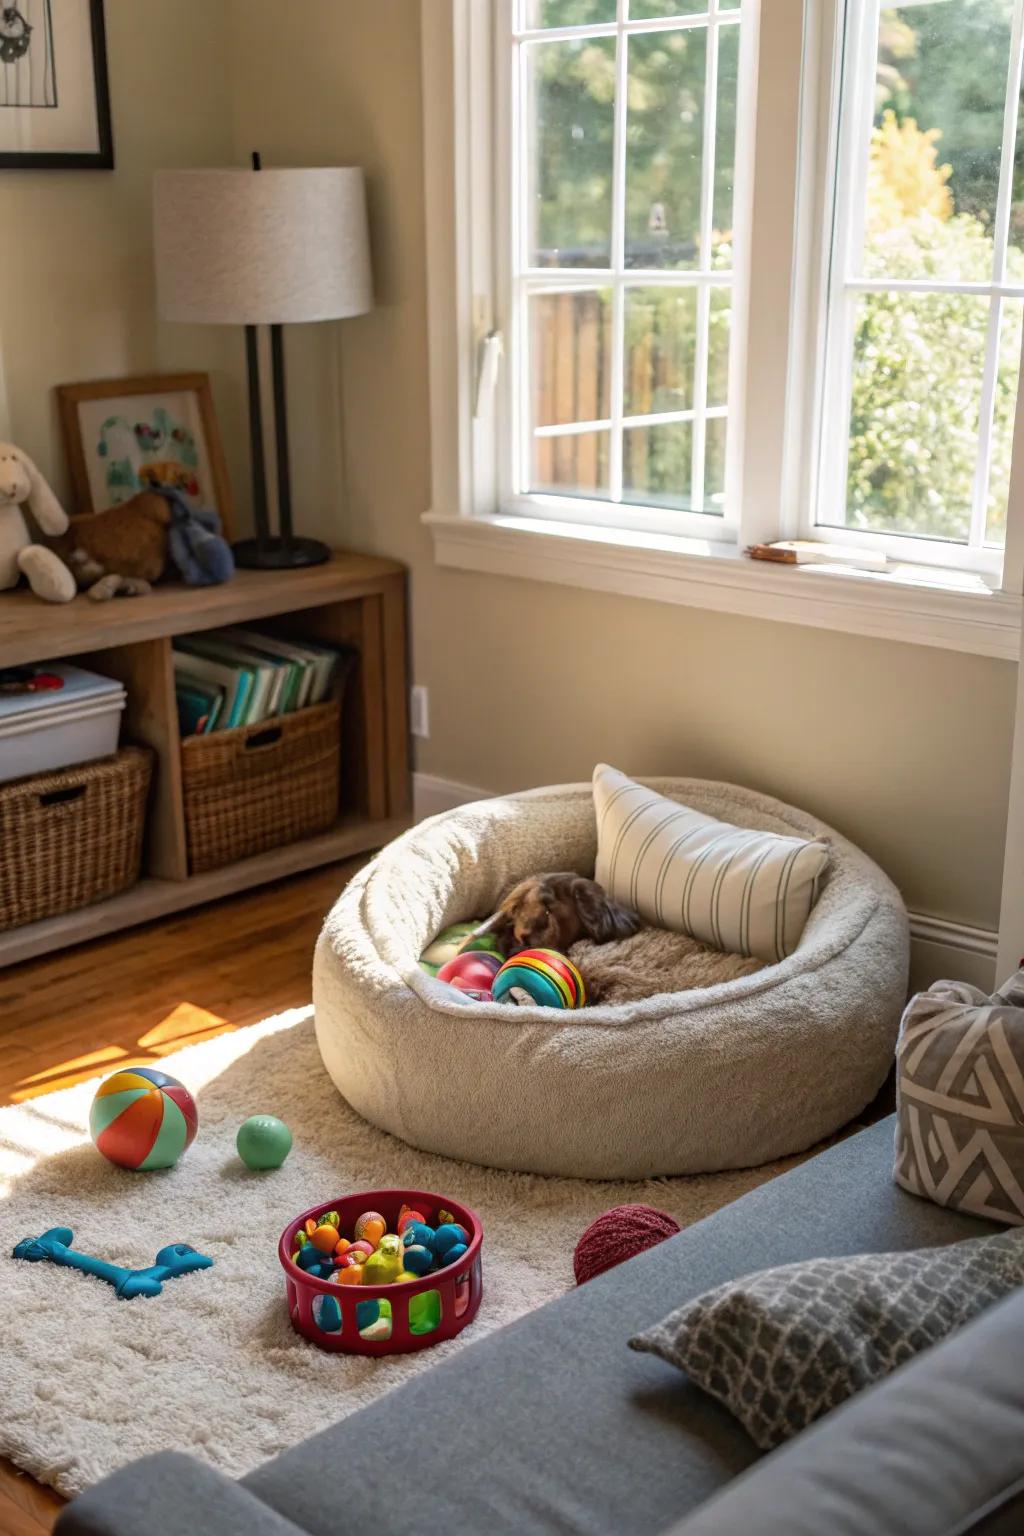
[[78, 294]]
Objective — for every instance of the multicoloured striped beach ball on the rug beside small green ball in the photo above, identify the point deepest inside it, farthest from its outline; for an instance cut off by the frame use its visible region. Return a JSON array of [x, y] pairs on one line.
[[142, 1119]]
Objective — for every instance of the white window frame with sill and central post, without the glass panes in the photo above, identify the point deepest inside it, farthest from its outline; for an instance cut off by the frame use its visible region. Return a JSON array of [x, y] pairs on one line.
[[480, 523]]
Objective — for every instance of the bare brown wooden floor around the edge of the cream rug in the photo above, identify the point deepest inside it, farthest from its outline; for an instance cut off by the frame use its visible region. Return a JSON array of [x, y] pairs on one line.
[[139, 998]]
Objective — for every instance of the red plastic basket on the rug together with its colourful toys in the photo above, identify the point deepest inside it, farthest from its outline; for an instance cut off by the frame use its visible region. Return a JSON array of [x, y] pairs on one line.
[[383, 1273]]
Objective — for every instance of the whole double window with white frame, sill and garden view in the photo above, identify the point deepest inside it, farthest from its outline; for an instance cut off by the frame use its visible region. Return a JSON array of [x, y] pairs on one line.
[[719, 273]]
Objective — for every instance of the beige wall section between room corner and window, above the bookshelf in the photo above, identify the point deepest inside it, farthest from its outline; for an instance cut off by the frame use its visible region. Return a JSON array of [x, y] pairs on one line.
[[358, 402]]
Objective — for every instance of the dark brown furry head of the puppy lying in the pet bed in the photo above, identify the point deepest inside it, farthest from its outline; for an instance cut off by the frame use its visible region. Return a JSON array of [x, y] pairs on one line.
[[552, 912]]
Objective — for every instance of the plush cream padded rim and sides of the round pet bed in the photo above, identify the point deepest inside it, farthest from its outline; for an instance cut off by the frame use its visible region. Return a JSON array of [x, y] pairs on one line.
[[687, 1082]]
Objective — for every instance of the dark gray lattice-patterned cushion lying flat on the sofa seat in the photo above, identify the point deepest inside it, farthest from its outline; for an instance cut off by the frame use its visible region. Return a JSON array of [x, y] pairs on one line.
[[782, 1348]]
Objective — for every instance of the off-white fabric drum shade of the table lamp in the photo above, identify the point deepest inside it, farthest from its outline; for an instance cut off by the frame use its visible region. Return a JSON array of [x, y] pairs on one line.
[[260, 248]]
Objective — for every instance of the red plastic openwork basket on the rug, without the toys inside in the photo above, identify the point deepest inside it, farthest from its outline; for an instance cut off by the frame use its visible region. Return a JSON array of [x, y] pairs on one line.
[[455, 1291]]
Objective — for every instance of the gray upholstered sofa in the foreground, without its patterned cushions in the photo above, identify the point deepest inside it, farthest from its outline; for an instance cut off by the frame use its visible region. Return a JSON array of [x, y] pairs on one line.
[[555, 1426]]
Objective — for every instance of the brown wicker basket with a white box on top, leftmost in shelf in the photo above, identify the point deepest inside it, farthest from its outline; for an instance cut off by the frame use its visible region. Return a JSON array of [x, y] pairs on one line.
[[71, 838]]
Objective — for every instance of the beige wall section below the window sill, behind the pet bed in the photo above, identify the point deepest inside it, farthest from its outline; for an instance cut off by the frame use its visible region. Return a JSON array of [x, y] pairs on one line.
[[862, 733]]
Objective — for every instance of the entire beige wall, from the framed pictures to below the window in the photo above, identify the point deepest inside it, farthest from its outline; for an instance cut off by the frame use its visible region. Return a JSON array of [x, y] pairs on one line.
[[902, 747]]
